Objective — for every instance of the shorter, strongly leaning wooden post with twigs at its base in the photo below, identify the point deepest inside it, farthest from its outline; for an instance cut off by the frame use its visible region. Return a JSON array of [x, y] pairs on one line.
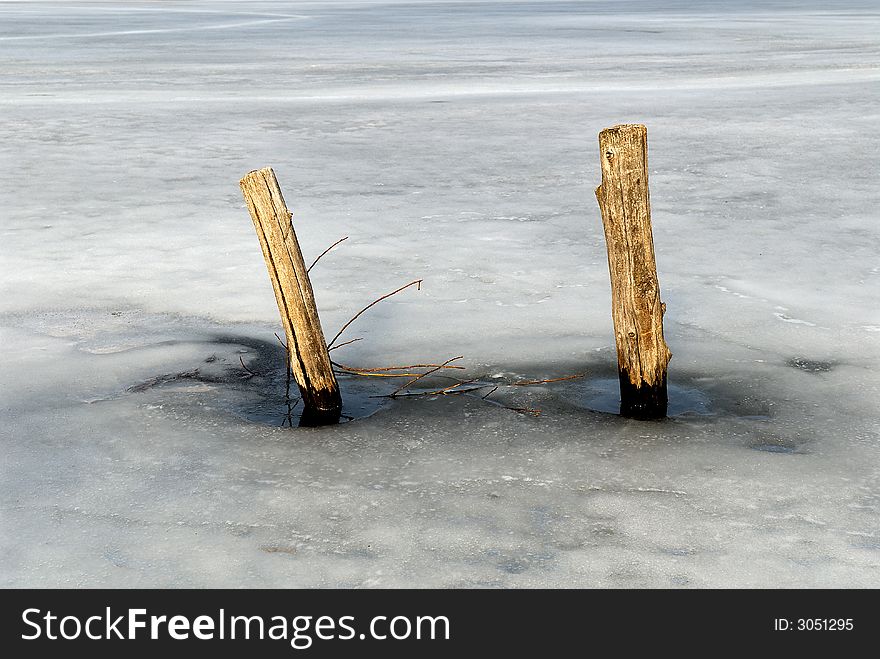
[[307, 349]]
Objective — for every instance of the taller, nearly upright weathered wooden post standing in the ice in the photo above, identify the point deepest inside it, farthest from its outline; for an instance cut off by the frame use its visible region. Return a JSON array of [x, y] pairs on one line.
[[642, 354]]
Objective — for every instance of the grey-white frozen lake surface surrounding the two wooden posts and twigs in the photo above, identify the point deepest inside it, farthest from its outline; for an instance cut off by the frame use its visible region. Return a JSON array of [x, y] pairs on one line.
[[454, 142]]
